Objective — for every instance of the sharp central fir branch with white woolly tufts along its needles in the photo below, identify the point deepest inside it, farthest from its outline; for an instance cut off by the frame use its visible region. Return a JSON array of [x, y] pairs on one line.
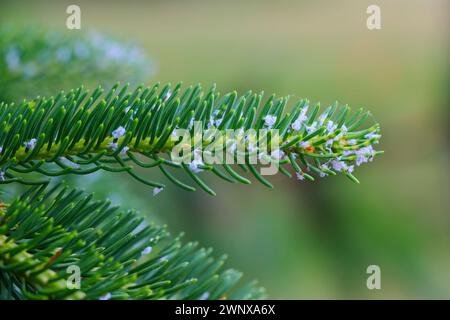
[[78, 133]]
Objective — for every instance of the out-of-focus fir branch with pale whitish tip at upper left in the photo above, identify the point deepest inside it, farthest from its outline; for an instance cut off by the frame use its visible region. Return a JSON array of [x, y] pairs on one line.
[[38, 61]]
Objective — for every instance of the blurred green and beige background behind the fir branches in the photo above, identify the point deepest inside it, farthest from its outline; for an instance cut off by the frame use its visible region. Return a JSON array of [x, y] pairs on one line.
[[304, 240]]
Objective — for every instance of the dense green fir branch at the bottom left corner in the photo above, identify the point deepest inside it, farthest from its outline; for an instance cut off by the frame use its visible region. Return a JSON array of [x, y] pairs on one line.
[[120, 256]]
